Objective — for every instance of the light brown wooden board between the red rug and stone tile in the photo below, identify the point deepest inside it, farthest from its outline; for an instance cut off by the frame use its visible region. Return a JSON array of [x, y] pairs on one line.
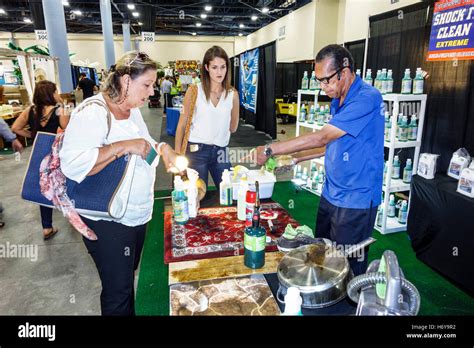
[[223, 267]]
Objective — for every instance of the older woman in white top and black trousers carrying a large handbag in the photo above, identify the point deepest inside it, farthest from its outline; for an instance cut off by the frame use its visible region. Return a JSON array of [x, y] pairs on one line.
[[89, 146]]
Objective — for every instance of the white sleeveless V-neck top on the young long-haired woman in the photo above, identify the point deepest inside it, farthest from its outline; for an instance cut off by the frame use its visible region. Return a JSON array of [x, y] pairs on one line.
[[211, 124]]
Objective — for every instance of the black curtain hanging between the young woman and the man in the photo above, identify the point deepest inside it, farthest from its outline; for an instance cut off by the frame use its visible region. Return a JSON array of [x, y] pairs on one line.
[[265, 119]]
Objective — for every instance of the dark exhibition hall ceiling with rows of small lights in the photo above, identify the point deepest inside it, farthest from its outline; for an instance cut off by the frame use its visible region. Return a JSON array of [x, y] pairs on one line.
[[172, 17]]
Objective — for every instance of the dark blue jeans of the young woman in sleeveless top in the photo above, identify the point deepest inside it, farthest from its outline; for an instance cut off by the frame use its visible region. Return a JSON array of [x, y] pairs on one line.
[[208, 158]]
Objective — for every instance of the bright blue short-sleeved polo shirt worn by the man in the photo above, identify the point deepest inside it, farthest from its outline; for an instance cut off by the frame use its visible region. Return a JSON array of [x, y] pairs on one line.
[[354, 162]]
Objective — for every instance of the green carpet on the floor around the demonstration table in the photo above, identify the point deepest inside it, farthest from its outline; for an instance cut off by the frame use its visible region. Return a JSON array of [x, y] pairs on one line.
[[438, 295]]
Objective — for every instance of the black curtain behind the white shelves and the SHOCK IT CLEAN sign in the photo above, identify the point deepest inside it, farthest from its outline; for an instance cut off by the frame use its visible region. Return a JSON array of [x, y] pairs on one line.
[[399, 39]]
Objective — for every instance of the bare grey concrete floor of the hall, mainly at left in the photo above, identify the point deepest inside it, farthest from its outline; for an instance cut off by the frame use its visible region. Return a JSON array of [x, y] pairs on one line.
[[57, 277]]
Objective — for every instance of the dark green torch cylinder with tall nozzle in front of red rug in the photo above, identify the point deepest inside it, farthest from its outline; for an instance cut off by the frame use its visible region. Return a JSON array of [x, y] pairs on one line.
[[255, 238]]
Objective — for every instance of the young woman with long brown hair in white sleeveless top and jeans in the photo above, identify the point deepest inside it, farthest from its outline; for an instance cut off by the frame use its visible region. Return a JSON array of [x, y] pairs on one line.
[[216, 115]]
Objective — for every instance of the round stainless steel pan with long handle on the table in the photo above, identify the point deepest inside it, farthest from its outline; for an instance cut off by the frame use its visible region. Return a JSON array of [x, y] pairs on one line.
[[320, 271]]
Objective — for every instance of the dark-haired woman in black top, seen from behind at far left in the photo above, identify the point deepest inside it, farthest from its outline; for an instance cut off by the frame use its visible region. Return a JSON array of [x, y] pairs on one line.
[[45, 115]]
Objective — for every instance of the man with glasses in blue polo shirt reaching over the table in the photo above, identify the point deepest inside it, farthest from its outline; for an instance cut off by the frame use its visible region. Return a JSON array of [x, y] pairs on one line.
[[354, 156]]
